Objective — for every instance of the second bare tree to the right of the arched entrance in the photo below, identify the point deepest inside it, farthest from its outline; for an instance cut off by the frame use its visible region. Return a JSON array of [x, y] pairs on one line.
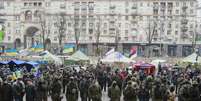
[[61, 25]]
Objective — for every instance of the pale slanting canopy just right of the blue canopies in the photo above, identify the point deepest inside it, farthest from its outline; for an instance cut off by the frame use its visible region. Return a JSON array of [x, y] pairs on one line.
[[50, 57]]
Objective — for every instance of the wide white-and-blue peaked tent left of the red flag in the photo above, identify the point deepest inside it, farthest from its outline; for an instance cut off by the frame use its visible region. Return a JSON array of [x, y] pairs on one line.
[[116, 57]]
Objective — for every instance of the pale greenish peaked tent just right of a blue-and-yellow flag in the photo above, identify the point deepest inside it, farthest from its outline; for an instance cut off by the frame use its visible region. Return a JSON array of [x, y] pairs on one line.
[[79, 56]]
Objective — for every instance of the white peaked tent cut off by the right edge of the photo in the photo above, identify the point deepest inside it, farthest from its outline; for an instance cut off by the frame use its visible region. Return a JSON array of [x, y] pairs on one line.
[[192, 58]]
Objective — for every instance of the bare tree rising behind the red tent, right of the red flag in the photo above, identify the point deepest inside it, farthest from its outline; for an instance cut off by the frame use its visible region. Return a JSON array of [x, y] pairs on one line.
[[150, 32]]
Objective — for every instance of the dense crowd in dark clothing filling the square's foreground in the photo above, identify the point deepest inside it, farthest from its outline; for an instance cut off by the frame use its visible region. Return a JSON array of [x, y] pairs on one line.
[[90, 83]]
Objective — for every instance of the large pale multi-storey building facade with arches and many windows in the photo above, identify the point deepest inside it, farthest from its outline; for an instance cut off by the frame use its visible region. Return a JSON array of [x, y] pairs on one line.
[[158, 27]]
